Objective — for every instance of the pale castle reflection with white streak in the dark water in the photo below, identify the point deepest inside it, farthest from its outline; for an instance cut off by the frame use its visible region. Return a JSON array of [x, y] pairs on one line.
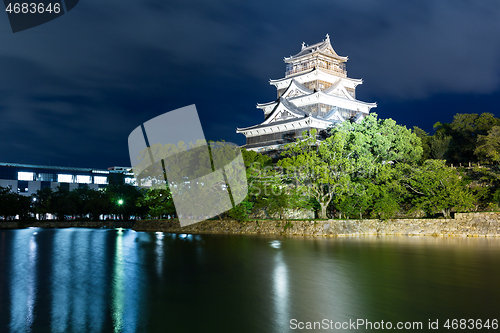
[[312, 281]]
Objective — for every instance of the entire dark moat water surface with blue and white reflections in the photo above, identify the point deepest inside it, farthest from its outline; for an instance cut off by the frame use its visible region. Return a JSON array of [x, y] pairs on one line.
[[107, 280]]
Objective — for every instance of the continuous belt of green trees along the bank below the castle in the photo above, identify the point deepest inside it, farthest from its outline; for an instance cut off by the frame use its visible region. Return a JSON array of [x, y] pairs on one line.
[[374, 168]]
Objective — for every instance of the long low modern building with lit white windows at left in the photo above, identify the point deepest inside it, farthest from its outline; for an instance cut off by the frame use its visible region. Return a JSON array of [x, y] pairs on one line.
[[26, 179]]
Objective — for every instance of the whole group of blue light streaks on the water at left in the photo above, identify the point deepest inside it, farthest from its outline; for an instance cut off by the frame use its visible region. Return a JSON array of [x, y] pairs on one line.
[[78, 273]]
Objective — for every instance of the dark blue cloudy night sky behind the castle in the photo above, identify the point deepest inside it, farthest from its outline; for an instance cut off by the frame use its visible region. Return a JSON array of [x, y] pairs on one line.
[[73, 89]]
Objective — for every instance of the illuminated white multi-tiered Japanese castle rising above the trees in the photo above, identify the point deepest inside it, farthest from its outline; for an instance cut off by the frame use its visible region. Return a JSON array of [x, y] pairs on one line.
[[315, 93]]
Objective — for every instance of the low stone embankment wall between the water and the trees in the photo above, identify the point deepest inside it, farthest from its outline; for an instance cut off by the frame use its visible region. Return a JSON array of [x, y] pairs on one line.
[[466, 224]]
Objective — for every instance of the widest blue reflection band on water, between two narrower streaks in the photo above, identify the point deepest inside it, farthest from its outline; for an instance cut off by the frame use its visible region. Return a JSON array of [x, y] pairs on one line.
[[78, 271]]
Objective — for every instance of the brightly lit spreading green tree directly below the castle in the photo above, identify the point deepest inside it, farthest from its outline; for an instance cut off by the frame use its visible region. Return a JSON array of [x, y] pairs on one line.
[[353, 152]]
